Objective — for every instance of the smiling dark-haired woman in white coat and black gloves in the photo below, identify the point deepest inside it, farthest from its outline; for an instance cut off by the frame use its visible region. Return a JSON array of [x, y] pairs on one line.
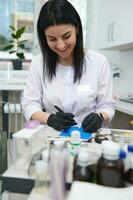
[[78, 82]]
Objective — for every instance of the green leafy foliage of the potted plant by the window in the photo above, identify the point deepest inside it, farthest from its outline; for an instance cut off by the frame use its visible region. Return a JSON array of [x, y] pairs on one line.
[[16, 45]]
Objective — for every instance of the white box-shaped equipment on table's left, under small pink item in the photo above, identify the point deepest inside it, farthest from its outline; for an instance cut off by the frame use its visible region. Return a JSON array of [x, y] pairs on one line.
[[27, 143]]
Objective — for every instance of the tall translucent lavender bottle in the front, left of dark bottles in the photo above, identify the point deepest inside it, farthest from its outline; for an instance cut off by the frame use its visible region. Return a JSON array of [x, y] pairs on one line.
[[57, 170]]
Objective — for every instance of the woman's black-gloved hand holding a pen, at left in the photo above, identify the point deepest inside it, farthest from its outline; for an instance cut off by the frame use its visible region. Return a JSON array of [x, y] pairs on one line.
[[61, 120]]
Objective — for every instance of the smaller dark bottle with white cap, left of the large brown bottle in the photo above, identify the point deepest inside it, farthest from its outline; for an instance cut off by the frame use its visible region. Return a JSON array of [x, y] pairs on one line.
[[82, 170]]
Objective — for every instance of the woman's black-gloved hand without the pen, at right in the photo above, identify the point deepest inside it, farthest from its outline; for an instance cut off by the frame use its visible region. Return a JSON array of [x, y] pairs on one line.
[[92, 122]]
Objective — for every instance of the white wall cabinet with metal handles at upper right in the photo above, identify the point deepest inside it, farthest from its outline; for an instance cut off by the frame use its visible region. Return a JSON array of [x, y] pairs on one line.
[[115, 24]]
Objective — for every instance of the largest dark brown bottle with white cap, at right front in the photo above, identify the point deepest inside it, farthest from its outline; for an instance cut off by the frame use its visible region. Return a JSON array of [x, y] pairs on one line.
[[110, 167]]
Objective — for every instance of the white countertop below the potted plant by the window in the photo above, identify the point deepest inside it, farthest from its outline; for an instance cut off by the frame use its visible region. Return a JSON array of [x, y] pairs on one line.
[[13, 79]]
